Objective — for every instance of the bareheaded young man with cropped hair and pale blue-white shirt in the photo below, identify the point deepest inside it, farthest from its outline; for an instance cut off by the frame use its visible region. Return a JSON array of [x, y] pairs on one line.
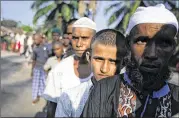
[[104, 63]]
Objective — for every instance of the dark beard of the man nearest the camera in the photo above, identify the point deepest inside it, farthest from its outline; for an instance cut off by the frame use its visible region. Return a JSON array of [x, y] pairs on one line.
[[144, 81]]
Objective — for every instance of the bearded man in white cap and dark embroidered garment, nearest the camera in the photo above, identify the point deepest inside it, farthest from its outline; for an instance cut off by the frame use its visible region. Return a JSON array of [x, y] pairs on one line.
[[143, 90]]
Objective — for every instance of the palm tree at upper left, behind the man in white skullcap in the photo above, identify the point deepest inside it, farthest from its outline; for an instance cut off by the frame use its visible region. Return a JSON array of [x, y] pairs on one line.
[[57, 12]]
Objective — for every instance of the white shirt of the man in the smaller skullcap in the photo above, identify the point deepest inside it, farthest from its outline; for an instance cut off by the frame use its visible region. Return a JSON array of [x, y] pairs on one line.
[[61, 78]]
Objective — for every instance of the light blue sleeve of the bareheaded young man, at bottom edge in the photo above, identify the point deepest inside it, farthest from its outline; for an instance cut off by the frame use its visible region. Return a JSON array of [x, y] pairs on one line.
[[63, 106]]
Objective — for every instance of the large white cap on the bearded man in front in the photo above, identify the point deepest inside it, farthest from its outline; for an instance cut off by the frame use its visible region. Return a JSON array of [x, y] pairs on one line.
[[152, 14]]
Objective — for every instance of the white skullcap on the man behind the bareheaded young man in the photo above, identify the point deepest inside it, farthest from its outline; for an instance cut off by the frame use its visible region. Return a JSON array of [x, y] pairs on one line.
[[85, 23]]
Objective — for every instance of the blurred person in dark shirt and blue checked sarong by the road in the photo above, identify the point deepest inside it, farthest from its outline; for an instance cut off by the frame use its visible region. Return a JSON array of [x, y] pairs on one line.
[[40, 56]]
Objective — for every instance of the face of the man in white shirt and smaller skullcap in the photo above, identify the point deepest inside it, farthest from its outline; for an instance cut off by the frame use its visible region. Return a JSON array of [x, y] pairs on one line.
[[81, 40]]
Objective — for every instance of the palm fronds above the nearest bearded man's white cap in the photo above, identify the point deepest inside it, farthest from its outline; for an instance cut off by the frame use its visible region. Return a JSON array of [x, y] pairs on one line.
[[126, 8]]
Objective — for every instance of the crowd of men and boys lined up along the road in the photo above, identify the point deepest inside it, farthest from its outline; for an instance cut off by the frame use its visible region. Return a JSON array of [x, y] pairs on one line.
[[85, 73]]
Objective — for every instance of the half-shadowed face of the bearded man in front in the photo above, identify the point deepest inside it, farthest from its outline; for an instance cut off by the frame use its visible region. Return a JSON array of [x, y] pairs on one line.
[[152, 49]]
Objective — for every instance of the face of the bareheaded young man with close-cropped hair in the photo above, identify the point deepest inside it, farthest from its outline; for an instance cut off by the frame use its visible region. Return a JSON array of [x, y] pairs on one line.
[[103, 61]]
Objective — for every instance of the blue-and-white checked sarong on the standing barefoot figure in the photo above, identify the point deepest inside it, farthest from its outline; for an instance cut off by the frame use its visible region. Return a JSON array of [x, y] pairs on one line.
[[38, 82]]
